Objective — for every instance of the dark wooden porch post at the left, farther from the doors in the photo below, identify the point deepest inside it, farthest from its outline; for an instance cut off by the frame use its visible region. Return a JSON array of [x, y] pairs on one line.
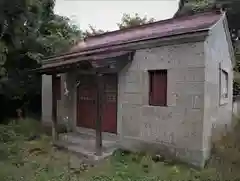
[[54, 109]]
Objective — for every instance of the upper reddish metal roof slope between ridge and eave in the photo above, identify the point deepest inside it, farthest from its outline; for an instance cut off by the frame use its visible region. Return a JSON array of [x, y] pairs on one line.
[[160, 29]]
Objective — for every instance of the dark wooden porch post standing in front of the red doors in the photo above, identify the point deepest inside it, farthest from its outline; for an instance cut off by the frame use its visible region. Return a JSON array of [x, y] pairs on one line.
[[99, 115]]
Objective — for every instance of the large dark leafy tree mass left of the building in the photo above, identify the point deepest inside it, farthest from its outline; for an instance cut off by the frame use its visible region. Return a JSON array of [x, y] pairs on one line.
[[29, 30]]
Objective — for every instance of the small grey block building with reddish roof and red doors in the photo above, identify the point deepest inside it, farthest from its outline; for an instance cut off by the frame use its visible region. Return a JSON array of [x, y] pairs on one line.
[[165, 87]]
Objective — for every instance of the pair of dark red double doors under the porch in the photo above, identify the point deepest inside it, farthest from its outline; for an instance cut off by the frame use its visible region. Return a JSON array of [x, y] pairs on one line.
[[87, 103]]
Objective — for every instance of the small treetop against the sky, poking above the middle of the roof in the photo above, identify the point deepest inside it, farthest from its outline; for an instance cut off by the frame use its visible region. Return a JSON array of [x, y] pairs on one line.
[[135, 20]]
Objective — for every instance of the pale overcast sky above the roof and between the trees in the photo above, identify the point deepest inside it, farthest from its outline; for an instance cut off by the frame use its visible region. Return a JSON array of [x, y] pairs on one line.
[[106, 14]]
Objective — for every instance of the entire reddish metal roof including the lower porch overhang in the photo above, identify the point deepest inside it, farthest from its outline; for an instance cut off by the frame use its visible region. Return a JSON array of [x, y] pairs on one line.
[[102, 44]]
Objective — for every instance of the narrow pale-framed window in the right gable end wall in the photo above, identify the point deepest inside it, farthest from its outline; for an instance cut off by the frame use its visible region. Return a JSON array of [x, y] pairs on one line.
[[223, 85]]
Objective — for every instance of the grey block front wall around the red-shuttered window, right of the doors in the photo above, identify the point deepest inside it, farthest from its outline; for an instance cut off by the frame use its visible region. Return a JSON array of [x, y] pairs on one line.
[[178, 127]]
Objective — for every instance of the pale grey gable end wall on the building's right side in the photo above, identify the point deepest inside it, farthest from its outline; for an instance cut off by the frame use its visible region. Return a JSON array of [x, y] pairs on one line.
[[217, 116]]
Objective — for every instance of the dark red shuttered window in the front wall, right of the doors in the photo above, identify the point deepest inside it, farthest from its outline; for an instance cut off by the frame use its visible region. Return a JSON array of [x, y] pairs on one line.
[[158, 88]]
